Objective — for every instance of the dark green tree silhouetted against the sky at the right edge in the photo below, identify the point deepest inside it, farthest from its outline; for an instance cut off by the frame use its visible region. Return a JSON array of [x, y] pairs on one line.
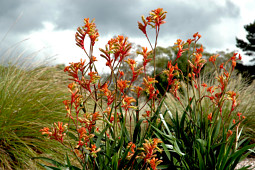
[[248, 46]]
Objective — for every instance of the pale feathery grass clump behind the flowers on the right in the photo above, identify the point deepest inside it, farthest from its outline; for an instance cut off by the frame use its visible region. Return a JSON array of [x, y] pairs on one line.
[[245, 96]]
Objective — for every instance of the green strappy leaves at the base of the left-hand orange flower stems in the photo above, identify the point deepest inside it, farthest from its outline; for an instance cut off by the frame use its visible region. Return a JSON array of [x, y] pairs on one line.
[[115, 153]]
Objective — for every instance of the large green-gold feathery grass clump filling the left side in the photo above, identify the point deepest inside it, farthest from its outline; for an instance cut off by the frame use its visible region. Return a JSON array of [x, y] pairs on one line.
[[31, 96]]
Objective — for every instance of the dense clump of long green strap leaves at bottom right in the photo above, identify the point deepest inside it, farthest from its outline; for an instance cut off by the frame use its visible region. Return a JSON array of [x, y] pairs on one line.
[[202, 145]]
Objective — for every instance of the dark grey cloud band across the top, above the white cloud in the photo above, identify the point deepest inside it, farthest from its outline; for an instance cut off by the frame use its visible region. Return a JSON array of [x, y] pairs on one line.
[[114, 16]]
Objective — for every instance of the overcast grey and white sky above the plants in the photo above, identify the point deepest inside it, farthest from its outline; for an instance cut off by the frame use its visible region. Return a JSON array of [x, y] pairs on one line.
[[50, 25]]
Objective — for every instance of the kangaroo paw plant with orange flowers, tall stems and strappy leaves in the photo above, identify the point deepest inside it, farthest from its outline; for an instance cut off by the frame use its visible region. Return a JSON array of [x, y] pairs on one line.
[[121, 122]]
